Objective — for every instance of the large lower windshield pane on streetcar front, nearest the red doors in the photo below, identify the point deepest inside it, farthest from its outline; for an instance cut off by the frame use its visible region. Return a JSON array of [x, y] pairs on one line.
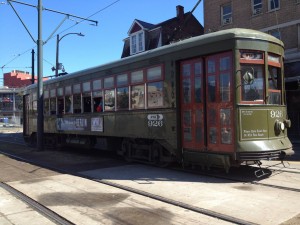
[[255, 90]]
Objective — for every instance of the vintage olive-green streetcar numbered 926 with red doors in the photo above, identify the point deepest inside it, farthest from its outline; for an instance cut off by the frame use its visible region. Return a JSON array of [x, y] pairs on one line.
[[211, 100]]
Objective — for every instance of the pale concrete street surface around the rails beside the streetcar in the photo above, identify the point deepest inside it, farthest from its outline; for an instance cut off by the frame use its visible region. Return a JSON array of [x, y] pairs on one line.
[[85, 201]]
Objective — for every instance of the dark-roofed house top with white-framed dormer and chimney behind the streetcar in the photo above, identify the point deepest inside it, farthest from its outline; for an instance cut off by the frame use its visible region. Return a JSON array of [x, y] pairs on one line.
[[143, 36]]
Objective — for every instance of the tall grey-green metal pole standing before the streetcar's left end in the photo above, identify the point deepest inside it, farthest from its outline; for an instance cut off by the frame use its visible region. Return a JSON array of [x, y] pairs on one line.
[[40, 119]]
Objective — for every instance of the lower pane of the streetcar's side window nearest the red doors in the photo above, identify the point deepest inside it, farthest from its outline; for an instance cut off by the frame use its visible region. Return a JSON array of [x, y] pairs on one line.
[[155, 94]]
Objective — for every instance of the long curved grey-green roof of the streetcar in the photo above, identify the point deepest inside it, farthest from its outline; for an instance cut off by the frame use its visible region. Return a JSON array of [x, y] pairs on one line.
[[235, 33]]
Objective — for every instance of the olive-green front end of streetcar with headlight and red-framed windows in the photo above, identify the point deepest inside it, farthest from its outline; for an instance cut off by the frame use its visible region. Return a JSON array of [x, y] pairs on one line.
[[261, 110]]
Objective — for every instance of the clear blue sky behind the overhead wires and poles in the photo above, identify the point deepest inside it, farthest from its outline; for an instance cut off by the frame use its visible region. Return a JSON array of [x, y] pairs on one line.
[[101, 44]]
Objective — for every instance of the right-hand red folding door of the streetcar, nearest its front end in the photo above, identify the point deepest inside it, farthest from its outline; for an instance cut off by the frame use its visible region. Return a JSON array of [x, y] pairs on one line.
[[219, 102]]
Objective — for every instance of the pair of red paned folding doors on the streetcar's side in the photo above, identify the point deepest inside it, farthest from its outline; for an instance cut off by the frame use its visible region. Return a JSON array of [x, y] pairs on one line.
[[207, 103]]
